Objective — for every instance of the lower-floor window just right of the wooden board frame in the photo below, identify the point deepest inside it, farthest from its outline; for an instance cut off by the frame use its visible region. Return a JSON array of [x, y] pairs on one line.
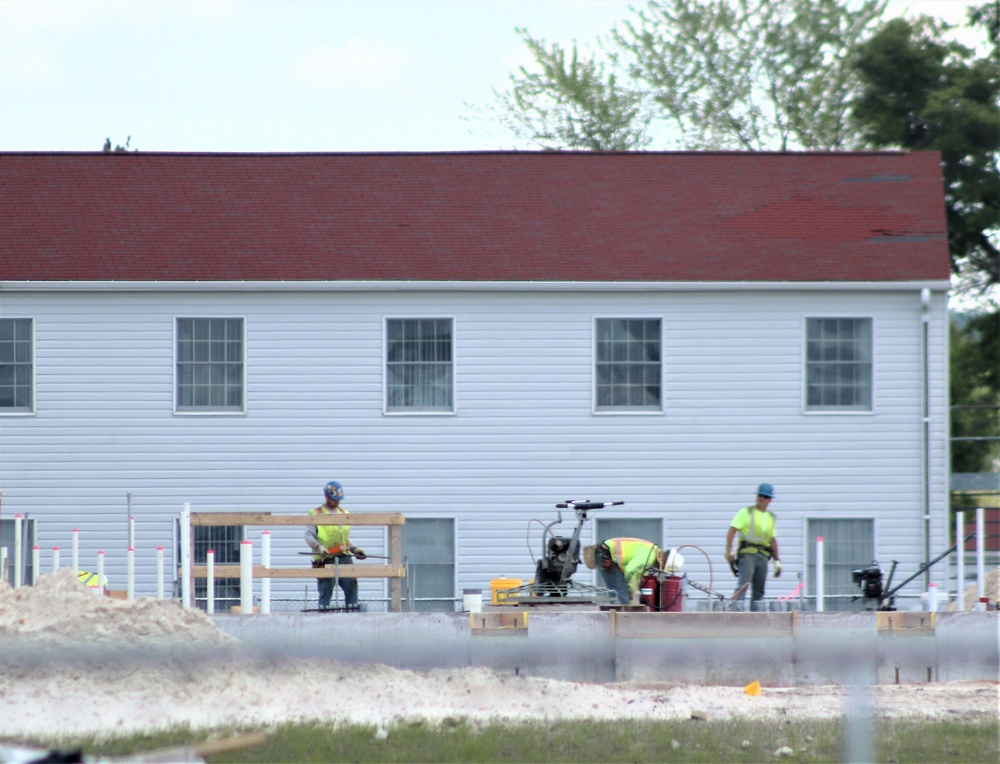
[[429, 550]]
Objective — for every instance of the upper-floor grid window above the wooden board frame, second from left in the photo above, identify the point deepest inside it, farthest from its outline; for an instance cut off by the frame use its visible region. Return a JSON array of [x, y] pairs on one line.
[[210, 368]]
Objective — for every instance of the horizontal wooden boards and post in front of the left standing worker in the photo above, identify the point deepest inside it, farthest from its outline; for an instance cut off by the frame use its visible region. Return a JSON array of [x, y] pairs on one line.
[[395, 571]]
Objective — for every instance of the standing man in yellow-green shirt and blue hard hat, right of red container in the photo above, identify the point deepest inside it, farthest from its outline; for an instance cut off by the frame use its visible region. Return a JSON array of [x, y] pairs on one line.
[[758, 544]]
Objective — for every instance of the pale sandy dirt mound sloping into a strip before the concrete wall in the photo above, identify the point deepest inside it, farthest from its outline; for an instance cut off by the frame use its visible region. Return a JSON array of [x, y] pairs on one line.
[[149, 664]]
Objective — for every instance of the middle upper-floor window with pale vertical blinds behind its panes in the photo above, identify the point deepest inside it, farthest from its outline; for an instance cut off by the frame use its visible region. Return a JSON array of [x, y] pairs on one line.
[[419, 369]]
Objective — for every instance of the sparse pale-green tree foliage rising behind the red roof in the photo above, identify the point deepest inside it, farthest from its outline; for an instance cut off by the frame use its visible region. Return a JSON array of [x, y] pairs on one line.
[[727, 74]]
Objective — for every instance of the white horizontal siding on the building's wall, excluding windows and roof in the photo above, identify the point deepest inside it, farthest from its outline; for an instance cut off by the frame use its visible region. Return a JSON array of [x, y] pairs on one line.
[[523, 436]]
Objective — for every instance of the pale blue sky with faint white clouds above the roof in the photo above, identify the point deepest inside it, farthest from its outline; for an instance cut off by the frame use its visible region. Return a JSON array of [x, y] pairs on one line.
[[294, 75]]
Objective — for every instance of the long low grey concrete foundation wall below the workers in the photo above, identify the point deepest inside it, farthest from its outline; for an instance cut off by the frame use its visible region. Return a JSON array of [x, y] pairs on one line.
[[778, 649]]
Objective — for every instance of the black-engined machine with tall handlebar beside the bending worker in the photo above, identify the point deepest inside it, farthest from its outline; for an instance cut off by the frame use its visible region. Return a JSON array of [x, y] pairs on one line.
[[553, 584]]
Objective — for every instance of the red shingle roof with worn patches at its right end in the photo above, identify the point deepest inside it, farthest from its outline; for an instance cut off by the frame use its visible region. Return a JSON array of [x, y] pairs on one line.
[[513, 216]]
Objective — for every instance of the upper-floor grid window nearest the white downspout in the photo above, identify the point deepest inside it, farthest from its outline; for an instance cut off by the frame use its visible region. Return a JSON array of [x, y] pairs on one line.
[[838, 364]]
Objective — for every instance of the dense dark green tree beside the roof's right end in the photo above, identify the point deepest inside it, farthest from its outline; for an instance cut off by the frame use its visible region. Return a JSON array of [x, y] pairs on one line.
[[921, 93]]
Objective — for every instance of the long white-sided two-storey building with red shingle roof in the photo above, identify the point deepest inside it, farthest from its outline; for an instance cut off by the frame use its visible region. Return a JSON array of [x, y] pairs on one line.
[[469, 339]]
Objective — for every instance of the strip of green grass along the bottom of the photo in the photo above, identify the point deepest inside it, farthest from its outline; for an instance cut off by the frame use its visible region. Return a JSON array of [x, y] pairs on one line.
[[579, 742]]
